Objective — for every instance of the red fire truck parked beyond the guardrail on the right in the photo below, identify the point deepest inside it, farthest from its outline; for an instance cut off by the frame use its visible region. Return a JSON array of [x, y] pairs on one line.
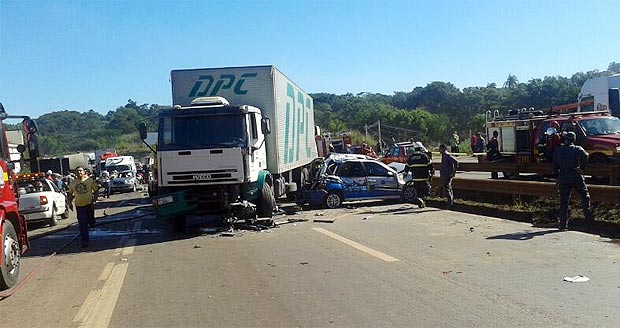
[[522, 134]]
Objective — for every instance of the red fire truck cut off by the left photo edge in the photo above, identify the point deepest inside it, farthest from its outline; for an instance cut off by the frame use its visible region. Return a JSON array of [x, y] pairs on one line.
[[13, 229]]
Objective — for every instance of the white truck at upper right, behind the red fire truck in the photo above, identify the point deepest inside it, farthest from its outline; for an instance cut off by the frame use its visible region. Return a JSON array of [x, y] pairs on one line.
[[600, 94]]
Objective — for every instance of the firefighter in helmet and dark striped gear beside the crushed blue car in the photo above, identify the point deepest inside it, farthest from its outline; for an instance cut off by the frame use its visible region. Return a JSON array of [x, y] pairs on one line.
[[421, 167]]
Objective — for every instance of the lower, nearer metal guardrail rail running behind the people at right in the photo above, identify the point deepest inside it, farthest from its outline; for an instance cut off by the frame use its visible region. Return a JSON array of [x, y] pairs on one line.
[[603, 194]]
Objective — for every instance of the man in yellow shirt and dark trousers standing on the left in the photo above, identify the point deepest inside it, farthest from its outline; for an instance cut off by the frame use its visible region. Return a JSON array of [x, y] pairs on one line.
[[83, 191]]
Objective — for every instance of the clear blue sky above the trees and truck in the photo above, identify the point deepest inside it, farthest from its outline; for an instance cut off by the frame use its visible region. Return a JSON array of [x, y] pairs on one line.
[[82, 55]]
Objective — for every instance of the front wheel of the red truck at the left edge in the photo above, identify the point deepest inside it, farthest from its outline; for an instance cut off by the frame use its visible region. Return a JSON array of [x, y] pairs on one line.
[[9, 268]]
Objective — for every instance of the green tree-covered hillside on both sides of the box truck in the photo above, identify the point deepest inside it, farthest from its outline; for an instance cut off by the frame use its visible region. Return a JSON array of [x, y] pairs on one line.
[[429, 113]]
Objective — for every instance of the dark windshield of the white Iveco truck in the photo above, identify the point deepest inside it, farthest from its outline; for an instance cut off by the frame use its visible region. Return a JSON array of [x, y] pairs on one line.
[[195, 132]]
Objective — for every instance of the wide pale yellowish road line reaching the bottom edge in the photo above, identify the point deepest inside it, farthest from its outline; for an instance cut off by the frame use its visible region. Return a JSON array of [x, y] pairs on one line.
[[101, 313]]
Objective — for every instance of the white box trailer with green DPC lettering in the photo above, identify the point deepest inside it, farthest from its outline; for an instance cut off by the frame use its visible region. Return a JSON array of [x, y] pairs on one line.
[[291, 143]]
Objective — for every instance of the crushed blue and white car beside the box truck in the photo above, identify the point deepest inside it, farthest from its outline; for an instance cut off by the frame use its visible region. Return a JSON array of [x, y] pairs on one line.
[[347, 177]]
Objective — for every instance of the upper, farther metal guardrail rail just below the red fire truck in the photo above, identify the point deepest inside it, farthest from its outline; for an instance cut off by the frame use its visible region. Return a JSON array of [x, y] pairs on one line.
[[610, 171]]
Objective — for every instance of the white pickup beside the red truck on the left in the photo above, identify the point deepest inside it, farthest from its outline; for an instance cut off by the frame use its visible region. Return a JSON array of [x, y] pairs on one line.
[[40, 199]]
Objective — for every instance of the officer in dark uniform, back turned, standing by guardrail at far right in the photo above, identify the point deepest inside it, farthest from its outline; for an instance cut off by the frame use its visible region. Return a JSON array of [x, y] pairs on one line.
[[569, 161]]
